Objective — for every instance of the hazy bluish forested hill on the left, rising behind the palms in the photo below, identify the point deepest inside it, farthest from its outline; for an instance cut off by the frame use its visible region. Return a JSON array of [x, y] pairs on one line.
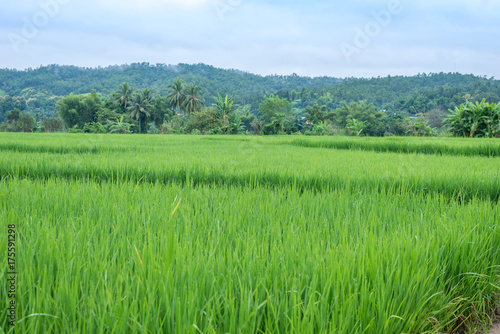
[[63, 80]]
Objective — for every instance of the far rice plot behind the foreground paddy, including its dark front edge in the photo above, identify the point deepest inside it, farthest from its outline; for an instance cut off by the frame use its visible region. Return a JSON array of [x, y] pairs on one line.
[[223, 162]]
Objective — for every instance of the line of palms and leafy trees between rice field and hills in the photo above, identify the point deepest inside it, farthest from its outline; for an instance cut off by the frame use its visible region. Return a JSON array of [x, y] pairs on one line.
[[183, 110]]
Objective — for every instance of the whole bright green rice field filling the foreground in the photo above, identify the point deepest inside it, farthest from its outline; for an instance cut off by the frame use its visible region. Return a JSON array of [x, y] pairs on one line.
[[221, 234]]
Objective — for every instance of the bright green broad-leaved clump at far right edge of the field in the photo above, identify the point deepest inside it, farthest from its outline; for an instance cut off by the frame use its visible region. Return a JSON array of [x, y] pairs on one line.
[[481, 119]]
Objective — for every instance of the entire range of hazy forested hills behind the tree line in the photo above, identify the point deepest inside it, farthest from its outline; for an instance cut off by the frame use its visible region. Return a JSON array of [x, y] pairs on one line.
[[38, 90]]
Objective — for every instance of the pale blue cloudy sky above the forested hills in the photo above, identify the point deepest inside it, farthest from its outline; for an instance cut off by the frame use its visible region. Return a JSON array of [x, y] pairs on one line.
[[360, 38]]
